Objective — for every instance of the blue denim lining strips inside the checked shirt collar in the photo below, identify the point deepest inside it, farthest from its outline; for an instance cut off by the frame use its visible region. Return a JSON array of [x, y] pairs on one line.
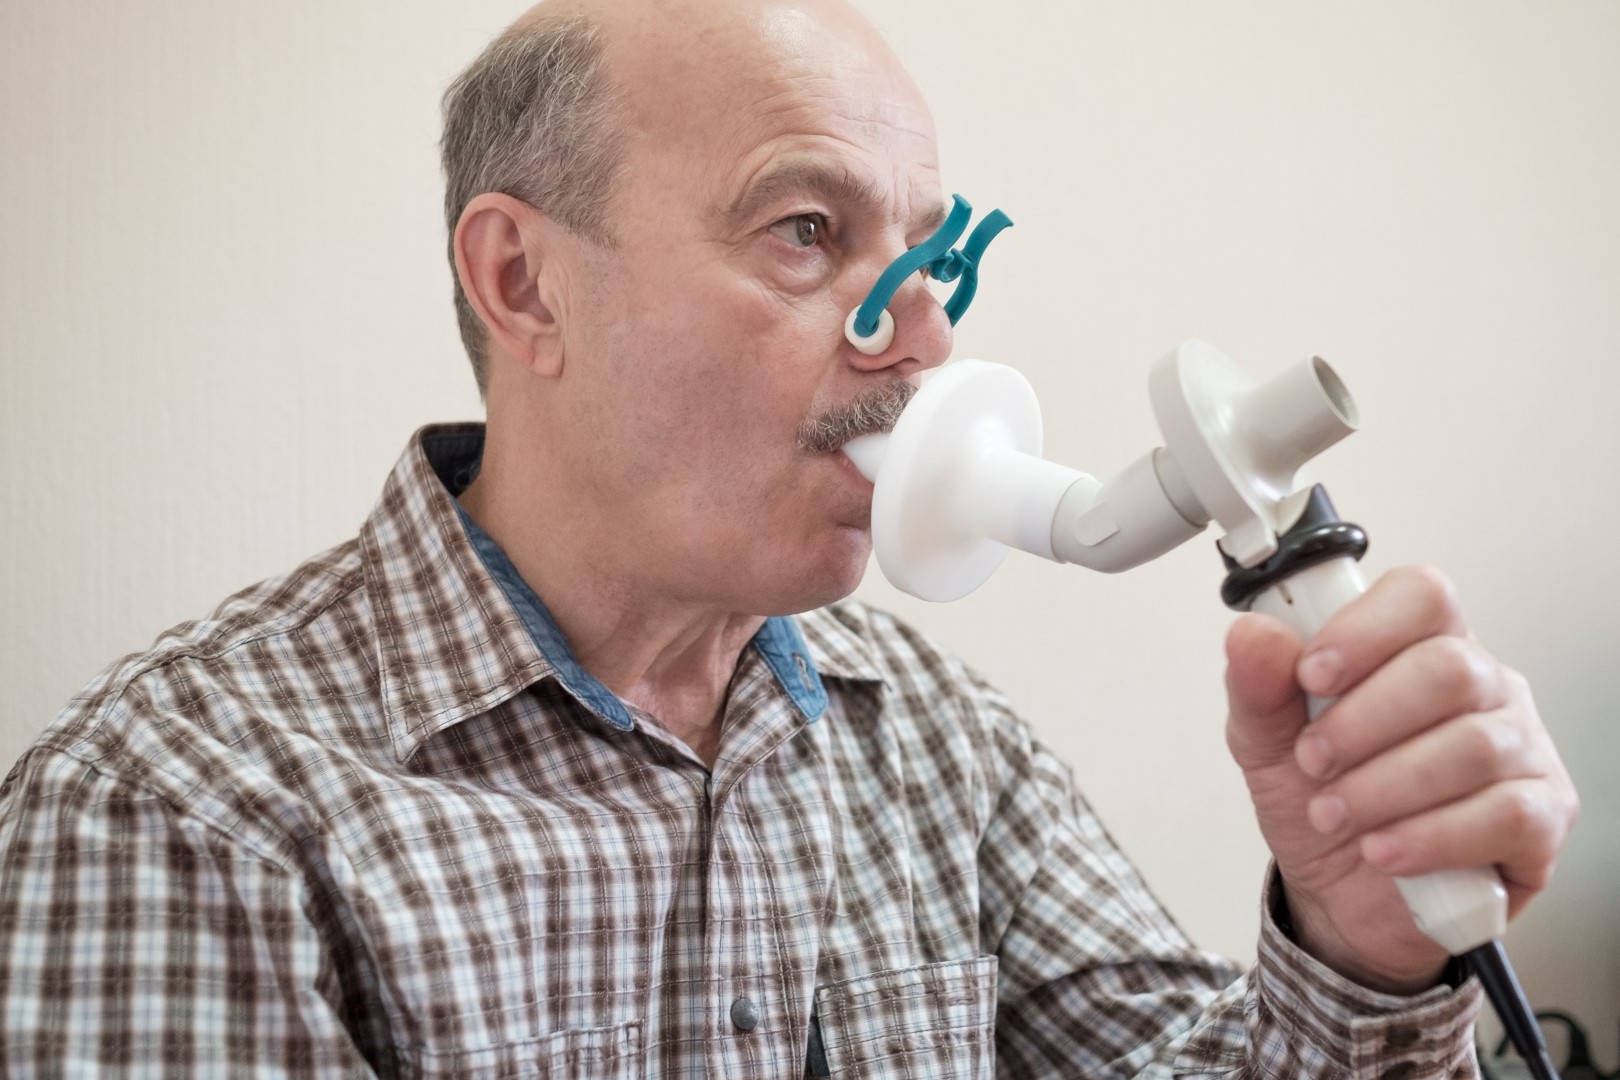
[[780, 644]]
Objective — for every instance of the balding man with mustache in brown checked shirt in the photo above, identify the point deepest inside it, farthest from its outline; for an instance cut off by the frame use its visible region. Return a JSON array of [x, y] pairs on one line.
[[574, 763]]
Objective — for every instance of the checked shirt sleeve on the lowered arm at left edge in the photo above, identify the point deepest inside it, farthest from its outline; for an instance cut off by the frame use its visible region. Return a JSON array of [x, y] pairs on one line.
[[139, 942]]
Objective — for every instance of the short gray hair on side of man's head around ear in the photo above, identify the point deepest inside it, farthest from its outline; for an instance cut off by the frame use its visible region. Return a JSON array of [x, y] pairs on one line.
[[532, 117]]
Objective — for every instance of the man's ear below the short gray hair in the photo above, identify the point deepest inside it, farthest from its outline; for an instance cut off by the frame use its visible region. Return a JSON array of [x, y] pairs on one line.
[[509, 263]]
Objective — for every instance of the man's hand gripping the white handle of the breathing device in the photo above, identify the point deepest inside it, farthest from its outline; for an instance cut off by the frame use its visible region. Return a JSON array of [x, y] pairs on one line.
[[1431, 759]]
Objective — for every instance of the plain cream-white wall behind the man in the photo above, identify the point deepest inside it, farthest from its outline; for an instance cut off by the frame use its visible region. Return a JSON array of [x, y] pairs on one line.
[[224, 307]]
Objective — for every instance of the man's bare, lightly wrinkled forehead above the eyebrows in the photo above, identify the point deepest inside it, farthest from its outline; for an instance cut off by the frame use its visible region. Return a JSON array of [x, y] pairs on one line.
[[751, 101]]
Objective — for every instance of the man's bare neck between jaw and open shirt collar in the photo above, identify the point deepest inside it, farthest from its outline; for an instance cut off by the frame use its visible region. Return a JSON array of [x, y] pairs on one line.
[[668, 658]]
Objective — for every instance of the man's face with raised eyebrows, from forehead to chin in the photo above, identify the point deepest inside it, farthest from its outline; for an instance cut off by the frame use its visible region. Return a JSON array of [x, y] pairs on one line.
[[765, 187]]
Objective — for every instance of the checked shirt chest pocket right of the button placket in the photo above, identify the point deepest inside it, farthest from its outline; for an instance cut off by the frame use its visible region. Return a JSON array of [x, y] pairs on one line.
[[936, 1023]]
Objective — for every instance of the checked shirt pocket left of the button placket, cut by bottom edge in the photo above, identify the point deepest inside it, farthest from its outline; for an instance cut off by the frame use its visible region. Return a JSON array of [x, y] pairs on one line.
[[610, 1053]]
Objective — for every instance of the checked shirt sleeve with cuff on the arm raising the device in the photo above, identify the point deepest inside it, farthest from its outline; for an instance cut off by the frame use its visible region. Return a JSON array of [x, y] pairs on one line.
[[1096, 980]]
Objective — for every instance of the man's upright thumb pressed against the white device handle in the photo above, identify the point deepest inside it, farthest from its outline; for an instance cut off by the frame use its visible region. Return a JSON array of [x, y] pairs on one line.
[[1266, 705]]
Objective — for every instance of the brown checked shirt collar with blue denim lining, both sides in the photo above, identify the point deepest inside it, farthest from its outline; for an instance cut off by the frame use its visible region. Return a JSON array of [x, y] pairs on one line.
[[461, 631]]
